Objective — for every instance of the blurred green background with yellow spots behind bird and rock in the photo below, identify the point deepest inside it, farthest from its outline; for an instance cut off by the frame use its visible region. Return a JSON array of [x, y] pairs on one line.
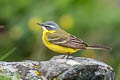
[[95, 21]]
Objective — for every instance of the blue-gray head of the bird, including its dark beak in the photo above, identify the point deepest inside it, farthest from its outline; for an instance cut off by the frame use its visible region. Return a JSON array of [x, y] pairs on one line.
[[49, 25]]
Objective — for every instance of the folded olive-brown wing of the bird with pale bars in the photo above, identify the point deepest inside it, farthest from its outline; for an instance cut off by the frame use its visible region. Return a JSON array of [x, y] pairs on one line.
[[67, 40]]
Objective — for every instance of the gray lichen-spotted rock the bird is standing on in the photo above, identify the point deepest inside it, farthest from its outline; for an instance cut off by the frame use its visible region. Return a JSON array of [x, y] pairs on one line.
[[74, 68]]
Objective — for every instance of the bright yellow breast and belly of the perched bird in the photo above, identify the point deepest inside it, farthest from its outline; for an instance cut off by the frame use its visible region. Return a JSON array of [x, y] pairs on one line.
[[56, 48]]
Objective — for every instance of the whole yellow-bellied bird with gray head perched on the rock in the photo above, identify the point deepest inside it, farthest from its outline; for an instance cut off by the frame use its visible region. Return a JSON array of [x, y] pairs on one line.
[[60, 41]]
